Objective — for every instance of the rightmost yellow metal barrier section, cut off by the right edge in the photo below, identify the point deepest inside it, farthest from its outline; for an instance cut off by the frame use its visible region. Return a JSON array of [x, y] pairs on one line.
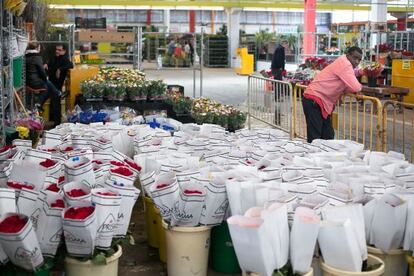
[[398, 124]]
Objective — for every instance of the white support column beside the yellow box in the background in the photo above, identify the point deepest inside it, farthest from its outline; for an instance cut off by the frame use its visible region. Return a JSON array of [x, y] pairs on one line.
[[233, 33]]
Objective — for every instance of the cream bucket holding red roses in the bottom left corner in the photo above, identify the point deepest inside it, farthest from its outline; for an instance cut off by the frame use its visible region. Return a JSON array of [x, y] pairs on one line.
[[74, 267]]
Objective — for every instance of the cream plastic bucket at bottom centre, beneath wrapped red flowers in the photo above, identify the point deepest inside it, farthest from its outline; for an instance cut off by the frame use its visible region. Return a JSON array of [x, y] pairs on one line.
[[187, 250]]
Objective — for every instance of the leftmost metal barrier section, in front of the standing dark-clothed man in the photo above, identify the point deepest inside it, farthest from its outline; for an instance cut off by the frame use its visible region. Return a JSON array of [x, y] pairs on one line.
[[270, 101]]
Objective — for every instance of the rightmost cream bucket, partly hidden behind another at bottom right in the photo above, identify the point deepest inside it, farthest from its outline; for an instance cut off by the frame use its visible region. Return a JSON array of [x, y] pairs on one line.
[[394, 260]]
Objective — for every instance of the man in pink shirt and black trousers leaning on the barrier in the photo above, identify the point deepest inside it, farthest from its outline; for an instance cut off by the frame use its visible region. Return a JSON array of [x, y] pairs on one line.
[[325, 90]]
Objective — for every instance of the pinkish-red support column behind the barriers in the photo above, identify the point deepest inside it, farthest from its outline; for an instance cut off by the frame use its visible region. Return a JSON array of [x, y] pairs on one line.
[[309, 28]]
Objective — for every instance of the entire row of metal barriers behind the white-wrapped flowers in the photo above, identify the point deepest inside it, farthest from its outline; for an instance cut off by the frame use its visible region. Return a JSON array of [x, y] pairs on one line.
[[379, 126]]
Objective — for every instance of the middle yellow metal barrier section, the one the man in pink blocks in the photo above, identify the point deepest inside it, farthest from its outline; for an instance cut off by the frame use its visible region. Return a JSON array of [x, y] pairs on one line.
[[357, 118]]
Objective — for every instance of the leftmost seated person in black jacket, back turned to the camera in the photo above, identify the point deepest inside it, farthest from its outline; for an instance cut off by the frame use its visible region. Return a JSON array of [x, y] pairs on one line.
[[36, 78]]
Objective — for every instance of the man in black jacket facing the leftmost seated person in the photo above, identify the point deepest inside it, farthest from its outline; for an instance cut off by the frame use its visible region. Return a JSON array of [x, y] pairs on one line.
[[57, 70]]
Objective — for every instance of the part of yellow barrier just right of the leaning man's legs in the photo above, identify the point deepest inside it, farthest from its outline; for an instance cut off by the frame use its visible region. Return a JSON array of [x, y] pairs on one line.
[[359, 118]]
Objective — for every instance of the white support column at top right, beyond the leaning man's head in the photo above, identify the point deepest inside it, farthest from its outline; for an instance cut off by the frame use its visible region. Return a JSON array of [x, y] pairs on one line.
[[378, 21]]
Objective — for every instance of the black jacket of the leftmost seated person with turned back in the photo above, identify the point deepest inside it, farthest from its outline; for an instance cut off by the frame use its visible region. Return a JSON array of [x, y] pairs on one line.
[[35, 73]]
